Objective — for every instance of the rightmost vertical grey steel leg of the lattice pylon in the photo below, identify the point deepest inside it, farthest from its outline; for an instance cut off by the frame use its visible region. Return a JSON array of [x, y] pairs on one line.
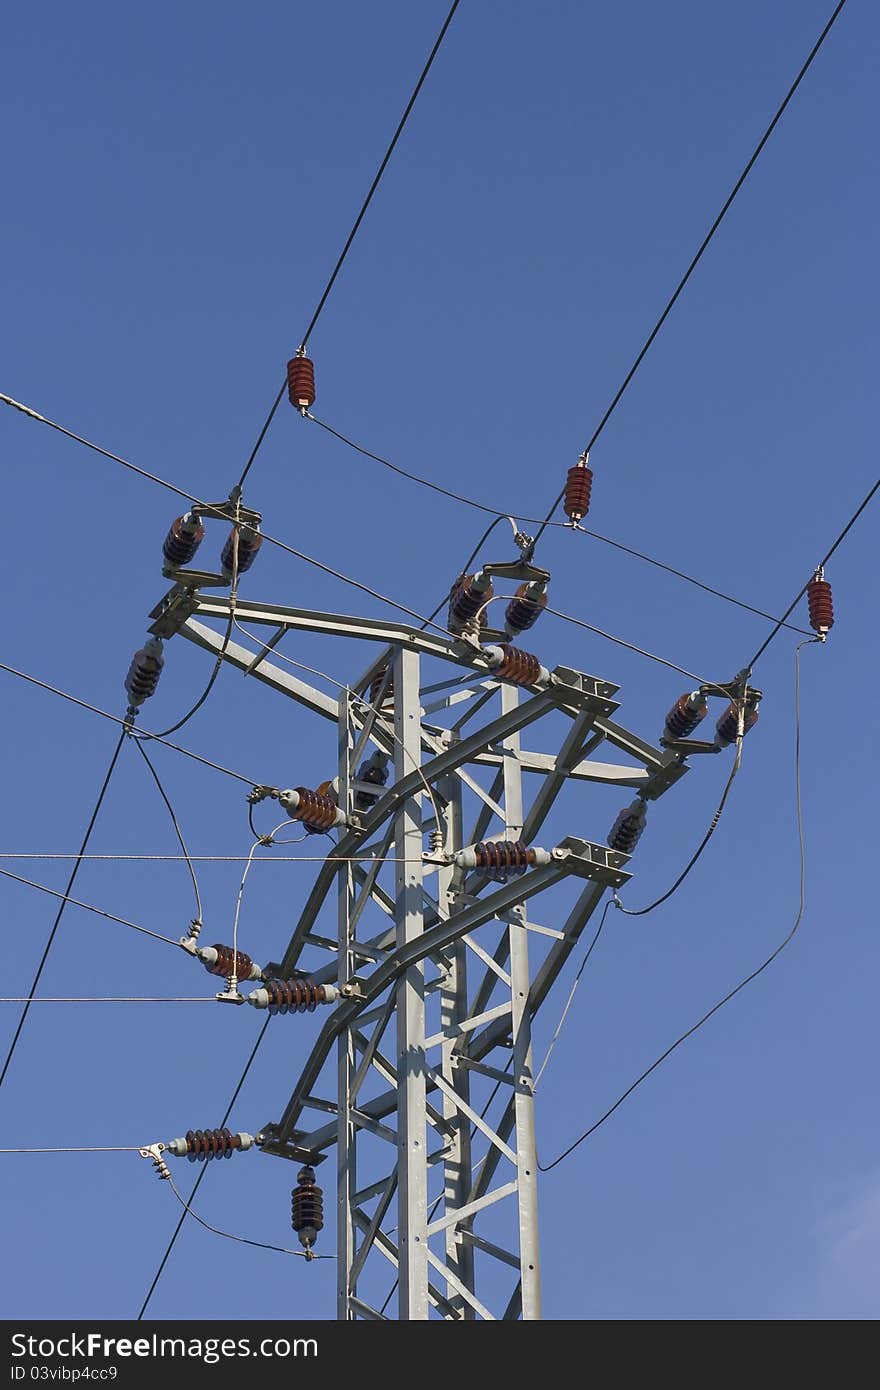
[[525, 1103]]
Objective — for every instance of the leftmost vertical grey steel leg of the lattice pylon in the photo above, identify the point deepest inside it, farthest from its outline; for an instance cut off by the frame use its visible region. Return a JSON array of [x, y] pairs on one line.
[[347, 1143]]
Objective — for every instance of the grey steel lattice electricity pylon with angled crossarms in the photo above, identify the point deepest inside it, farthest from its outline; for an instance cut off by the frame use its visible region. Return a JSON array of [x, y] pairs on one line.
[[439, 996]]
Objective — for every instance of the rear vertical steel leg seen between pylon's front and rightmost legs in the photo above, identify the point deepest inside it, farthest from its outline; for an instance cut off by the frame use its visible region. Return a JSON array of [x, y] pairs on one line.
[[454, 1010]]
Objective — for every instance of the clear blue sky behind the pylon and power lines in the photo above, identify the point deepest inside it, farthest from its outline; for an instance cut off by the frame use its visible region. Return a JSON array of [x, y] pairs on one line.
[[177, 186]]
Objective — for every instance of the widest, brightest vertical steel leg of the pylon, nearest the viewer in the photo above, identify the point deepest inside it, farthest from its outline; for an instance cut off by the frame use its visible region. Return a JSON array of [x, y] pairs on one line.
[[409, 921]]
